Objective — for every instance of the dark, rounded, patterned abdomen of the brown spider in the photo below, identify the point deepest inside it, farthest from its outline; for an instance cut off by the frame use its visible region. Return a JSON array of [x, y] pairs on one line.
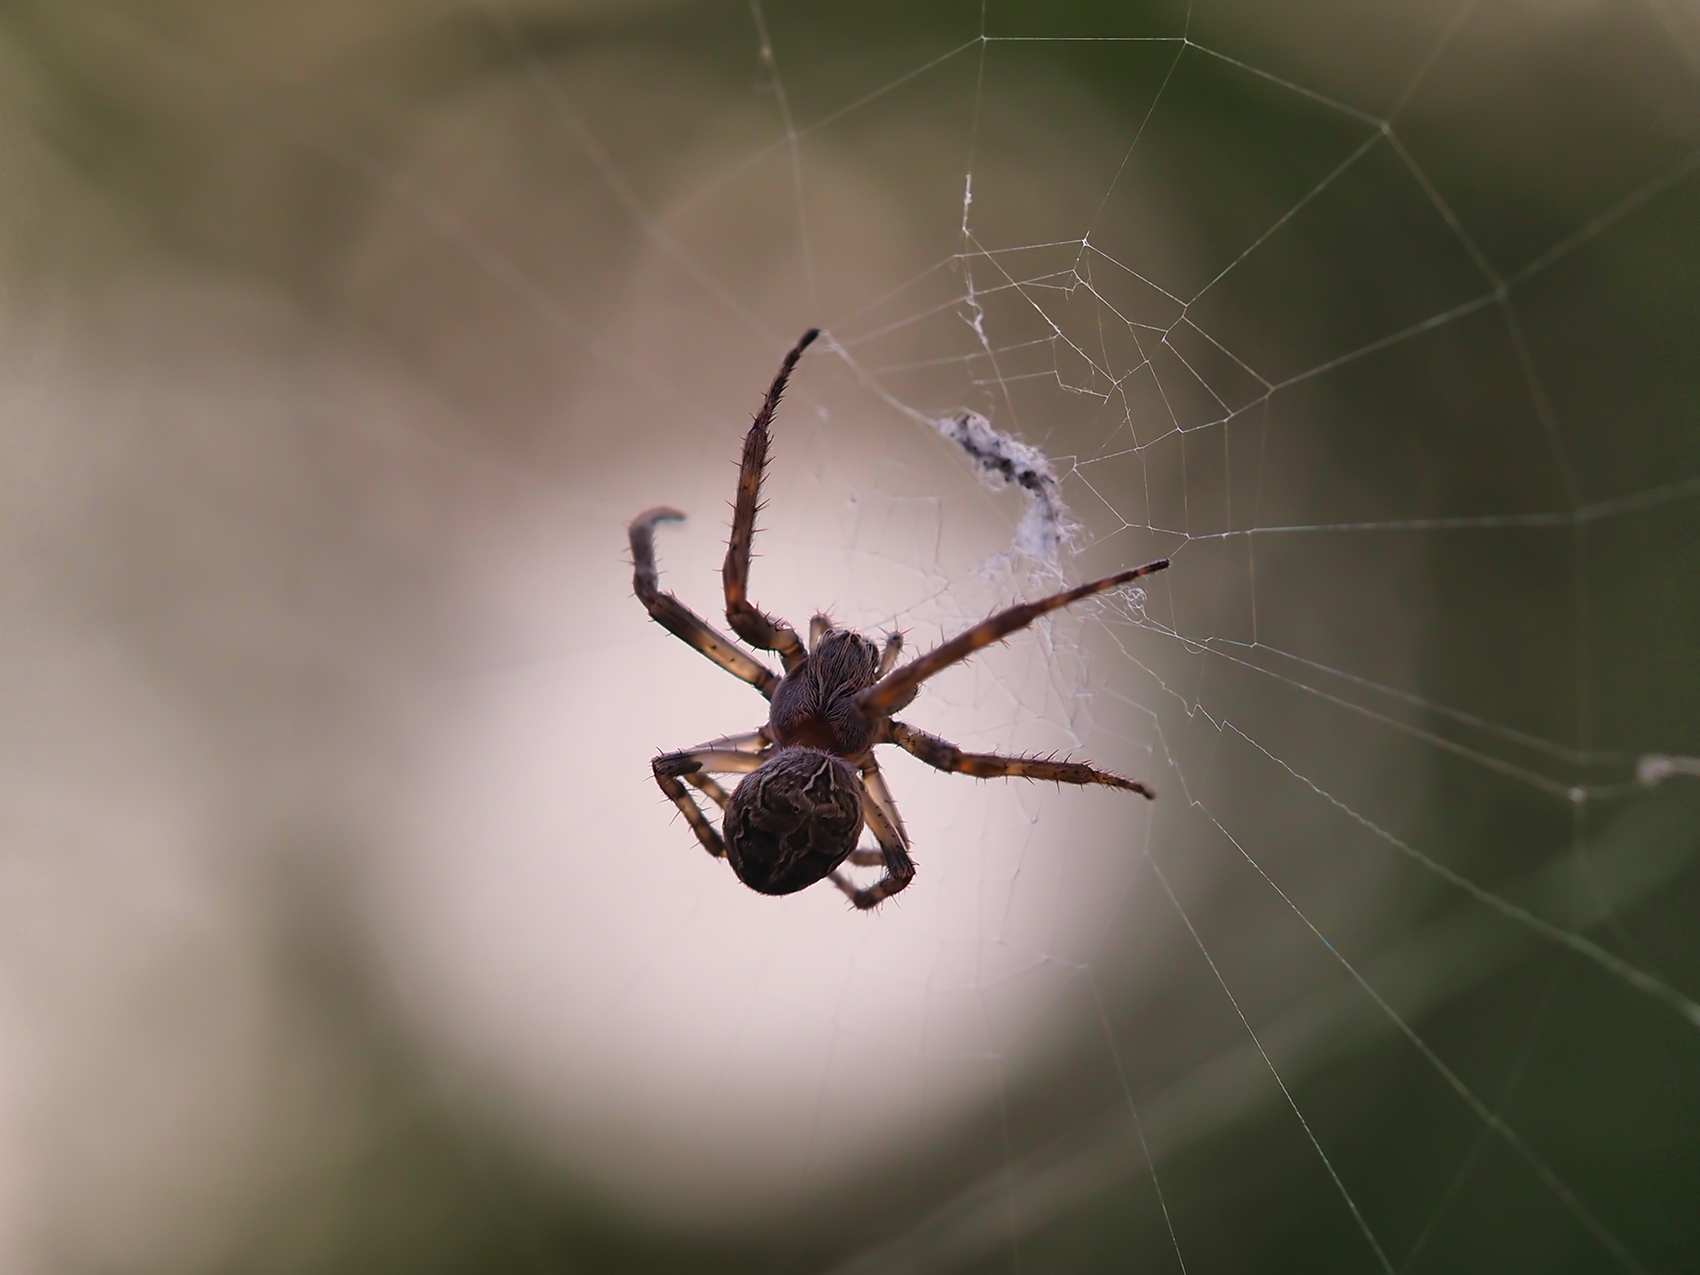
[[793, 820]]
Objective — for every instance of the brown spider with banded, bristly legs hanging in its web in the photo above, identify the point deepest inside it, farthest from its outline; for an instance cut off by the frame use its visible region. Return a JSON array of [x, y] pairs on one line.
[[810, 778]]
